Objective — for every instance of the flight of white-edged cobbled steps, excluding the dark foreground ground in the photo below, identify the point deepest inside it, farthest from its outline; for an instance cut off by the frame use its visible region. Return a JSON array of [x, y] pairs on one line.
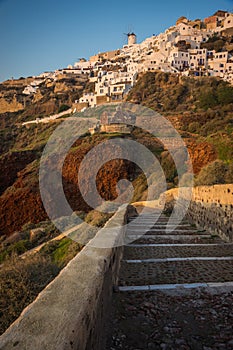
[[161, 260]]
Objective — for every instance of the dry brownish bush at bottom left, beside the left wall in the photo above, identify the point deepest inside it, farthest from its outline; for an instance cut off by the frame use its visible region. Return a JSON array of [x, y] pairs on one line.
[[20, 282]]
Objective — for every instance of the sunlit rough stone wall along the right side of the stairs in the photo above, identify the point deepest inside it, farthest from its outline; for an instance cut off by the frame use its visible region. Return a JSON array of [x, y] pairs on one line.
[[211, 208]]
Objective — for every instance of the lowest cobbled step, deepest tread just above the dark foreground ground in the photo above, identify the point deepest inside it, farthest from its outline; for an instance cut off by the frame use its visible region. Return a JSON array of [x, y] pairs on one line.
[[176, 272]]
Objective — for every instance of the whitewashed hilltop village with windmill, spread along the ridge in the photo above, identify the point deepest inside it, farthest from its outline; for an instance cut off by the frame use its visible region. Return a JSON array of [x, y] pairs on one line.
[[189, 48]]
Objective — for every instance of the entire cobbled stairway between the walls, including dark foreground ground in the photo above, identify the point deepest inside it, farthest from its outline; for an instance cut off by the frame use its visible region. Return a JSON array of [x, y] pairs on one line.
[[175, 289]]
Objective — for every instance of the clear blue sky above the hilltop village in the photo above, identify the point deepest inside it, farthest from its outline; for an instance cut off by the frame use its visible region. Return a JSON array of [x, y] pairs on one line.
[[44, 35]]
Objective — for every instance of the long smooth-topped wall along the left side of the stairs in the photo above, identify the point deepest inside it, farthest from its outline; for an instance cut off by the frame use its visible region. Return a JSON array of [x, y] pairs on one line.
[[71, 312]]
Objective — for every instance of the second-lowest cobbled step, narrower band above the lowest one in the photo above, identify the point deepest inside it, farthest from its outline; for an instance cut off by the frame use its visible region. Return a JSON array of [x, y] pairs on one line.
[[185, 251]]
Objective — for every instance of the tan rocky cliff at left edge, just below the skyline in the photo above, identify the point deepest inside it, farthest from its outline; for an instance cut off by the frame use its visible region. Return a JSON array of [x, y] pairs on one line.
[[47, 99]]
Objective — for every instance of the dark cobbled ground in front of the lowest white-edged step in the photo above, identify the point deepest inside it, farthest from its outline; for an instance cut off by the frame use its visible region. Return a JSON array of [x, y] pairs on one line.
[[199, 320]]
